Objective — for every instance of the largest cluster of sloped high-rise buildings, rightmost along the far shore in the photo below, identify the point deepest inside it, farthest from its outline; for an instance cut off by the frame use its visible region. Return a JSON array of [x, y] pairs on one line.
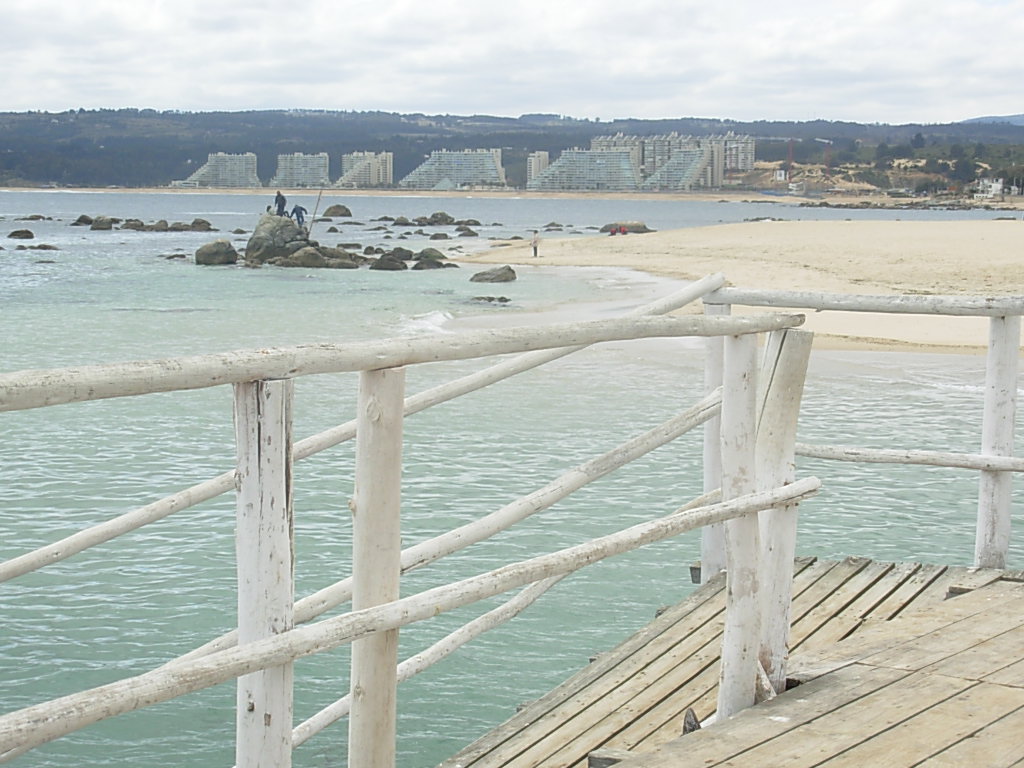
[[668, 162]]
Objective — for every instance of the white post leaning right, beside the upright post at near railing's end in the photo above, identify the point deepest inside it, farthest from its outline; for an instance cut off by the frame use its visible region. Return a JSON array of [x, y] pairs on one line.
[[781, 390]]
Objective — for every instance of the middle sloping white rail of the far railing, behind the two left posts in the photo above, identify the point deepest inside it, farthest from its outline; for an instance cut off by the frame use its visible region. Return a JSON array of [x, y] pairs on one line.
[[445, 544]]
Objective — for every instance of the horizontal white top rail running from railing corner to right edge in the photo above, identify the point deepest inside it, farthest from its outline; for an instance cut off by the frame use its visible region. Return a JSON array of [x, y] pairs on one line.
[[906, 305]]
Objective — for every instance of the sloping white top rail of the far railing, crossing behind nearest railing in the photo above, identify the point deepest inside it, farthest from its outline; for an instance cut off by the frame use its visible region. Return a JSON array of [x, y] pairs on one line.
[[304, 449]]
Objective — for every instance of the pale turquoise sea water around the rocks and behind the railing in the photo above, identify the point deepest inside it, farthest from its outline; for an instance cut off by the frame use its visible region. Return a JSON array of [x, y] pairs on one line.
[[133, 605]]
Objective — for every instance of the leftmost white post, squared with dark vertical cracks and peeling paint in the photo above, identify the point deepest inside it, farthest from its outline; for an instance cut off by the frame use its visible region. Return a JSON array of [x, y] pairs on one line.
[[266, 570]]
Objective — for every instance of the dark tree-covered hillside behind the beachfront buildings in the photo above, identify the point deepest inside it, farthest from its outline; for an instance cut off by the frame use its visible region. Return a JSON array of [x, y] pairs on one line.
[[145, 148]]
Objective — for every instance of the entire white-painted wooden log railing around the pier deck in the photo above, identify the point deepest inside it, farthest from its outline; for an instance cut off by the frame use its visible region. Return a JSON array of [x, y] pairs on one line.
[[749, 510]]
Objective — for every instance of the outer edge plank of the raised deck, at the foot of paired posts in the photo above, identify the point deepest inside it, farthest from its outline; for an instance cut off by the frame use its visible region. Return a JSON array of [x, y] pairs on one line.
[[766, 721]]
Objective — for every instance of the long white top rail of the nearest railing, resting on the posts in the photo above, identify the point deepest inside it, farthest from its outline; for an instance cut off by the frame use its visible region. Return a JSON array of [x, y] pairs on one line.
[[27, 390]]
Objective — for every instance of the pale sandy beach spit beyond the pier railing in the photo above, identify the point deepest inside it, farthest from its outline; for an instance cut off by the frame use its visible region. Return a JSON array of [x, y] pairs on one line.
[[865, 258]]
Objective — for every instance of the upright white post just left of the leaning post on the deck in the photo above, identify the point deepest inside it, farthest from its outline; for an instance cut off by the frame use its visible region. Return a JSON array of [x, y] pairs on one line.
[[743, 616]]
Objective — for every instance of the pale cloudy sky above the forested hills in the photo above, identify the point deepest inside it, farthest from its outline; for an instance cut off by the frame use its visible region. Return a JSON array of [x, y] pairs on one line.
[[889, 62]]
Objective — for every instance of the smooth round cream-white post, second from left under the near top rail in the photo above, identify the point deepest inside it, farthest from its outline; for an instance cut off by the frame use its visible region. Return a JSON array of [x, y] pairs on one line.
[[376, 566]]
